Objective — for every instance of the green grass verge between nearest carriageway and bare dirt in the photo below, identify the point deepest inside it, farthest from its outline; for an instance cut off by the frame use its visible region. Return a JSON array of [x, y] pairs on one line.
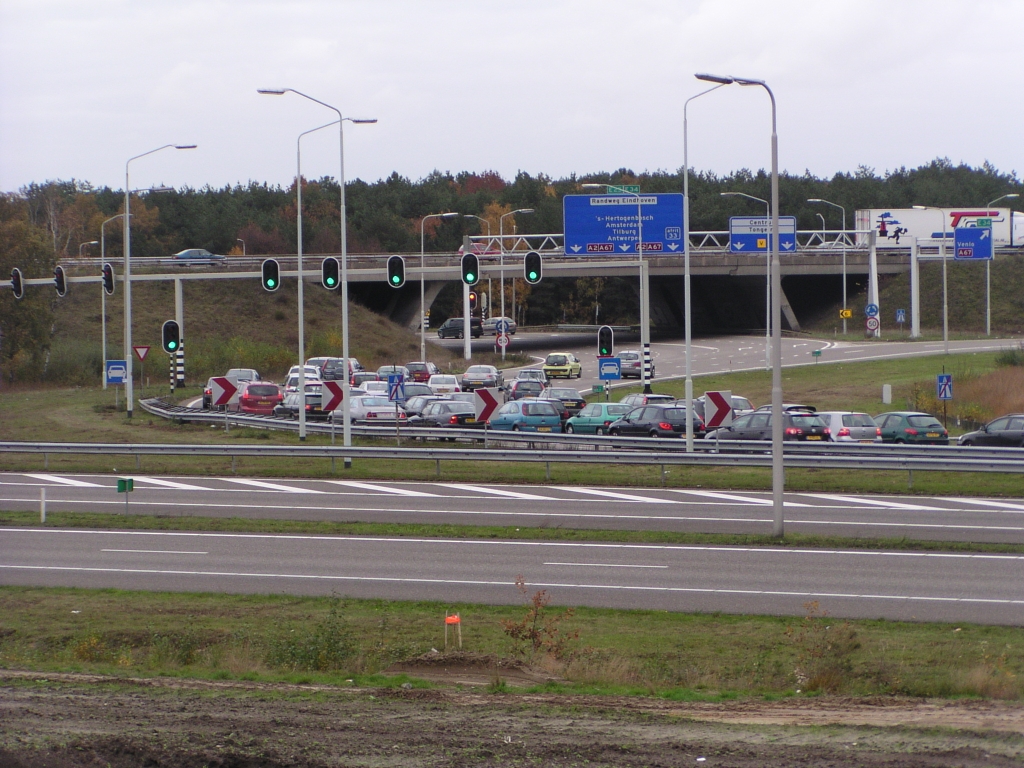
[[337, 641]]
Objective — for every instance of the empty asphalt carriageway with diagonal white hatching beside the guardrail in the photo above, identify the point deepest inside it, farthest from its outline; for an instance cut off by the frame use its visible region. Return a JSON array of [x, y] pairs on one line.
[[694, 510]]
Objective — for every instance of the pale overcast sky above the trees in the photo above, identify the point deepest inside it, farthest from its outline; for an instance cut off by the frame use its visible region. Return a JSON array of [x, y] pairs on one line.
[[544, 87]]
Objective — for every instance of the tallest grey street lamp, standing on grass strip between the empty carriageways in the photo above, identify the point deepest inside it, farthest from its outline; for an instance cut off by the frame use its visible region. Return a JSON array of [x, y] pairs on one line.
[[778, 475]]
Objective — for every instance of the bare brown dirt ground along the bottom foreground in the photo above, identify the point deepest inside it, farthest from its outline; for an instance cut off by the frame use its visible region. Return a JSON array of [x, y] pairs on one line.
[[79, 721]]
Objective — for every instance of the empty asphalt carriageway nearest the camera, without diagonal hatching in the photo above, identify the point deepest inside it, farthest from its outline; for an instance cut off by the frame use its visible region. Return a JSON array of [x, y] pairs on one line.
[[850, 584]]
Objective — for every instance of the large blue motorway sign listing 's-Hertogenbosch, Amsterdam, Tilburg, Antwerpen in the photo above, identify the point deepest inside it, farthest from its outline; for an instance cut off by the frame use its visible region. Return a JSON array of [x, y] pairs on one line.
[[608, 224]]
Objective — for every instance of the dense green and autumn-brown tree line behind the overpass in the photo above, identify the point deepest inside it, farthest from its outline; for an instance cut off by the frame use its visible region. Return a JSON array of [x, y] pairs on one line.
[[42, 224]]
